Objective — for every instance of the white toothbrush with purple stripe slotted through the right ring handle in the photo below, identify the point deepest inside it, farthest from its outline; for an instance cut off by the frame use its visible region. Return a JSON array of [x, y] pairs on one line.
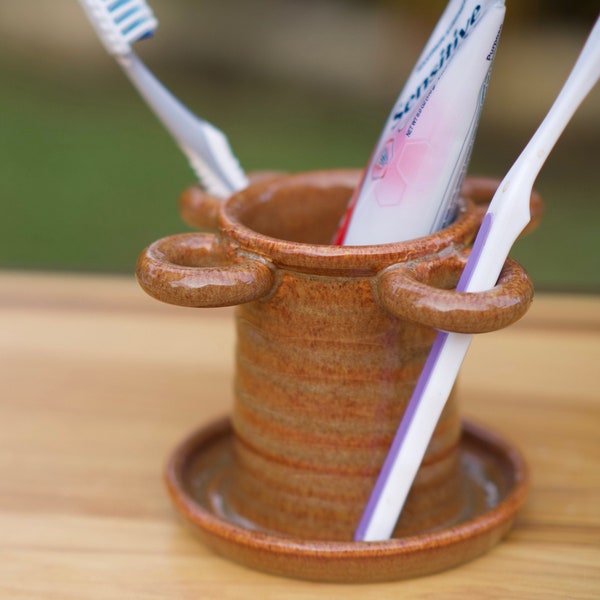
[[507, 216]]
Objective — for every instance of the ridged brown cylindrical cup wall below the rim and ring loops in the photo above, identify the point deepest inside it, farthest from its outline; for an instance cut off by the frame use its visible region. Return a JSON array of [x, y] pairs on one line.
[[323, 377]]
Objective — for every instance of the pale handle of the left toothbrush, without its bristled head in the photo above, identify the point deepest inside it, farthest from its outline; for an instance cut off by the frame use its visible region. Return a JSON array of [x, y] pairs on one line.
[[205, 146]]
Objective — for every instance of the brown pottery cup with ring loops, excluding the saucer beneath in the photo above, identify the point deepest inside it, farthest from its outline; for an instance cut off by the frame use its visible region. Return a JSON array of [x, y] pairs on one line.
[[330, 343]]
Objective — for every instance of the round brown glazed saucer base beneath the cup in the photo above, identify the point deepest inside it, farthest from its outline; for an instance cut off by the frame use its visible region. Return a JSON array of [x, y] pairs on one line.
[[494, 471]]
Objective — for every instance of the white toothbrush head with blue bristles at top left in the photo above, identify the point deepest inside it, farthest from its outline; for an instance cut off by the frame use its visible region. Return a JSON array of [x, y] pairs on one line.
[[119, 23]]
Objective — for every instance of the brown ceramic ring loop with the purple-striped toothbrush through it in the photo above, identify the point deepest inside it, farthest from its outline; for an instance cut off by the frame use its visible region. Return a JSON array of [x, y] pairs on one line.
[[422, 292]]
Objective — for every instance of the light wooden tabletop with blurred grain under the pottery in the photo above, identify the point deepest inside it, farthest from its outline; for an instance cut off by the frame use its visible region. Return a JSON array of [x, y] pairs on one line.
[[99, 383]]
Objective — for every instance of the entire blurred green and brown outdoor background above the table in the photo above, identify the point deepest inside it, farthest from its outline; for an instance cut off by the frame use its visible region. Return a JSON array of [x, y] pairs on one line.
[[88, 177]]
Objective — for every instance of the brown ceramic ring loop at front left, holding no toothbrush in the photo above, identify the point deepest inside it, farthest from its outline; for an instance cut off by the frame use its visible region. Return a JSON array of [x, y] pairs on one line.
[[196, 270]]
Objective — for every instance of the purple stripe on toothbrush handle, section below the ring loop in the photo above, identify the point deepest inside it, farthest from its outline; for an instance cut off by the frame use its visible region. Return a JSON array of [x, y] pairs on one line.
[[400, 435]]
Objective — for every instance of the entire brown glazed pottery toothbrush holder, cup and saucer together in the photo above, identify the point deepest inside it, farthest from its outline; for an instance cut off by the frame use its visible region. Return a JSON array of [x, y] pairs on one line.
[[330, 342]]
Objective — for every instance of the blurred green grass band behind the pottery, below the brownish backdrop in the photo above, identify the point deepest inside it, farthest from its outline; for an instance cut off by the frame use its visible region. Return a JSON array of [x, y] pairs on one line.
[[88, 177]]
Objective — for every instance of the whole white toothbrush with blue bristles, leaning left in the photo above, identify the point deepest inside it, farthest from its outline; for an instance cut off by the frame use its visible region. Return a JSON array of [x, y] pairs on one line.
[[119, 23]]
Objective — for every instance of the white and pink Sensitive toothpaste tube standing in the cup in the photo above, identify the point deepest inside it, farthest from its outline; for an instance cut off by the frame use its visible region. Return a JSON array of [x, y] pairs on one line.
[[411, 185]]
